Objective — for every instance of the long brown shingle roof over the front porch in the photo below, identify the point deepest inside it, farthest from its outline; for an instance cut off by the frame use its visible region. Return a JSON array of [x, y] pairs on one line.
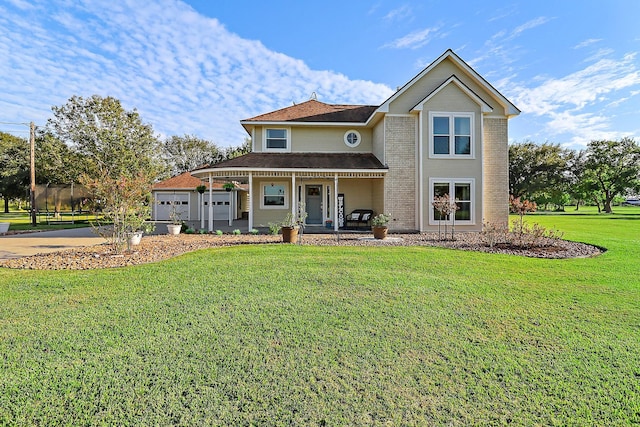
[[302, 161]]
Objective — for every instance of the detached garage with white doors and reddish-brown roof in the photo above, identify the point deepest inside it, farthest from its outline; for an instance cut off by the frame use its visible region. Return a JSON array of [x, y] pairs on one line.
[[193, 206]]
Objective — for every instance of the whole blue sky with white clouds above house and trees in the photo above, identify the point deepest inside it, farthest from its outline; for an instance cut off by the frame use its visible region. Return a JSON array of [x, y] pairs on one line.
[[200, 66]]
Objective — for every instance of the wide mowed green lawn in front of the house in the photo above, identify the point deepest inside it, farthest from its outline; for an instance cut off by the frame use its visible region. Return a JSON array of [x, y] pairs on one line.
[[295, 335]]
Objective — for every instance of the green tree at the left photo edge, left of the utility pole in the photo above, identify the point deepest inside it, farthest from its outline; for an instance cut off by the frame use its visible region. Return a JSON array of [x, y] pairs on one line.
[[14, 167]]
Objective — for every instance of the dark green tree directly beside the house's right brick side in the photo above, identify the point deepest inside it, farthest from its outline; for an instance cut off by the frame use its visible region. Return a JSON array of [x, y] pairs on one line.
[[537, 168]]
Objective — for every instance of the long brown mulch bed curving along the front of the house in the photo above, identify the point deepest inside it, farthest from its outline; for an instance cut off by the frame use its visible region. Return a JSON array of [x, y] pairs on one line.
[[157, 248]]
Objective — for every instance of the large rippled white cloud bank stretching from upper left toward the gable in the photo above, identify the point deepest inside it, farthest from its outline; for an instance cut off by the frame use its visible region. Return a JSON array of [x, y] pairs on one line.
[[185, 73]]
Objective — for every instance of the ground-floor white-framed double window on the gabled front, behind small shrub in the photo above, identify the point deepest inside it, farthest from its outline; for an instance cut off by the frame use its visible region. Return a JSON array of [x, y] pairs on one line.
[[460, 192]]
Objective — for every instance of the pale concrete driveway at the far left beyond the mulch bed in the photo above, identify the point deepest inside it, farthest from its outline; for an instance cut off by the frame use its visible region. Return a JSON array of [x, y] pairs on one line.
[[25, 244]]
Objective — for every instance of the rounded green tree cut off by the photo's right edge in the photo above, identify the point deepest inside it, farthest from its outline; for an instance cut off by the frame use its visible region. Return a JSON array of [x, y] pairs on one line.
[[613, 167]]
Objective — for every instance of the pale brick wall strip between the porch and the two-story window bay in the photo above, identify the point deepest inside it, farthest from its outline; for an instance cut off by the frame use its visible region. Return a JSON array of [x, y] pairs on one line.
[[400, 183]]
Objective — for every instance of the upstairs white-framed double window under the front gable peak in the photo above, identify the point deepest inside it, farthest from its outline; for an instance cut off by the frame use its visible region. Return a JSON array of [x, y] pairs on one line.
[[451, 135]]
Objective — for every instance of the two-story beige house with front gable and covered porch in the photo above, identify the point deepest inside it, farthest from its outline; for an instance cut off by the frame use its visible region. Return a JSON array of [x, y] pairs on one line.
[[444, 132]]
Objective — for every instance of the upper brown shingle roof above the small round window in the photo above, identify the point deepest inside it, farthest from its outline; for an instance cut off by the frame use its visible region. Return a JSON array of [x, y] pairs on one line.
[[316, 111]]
